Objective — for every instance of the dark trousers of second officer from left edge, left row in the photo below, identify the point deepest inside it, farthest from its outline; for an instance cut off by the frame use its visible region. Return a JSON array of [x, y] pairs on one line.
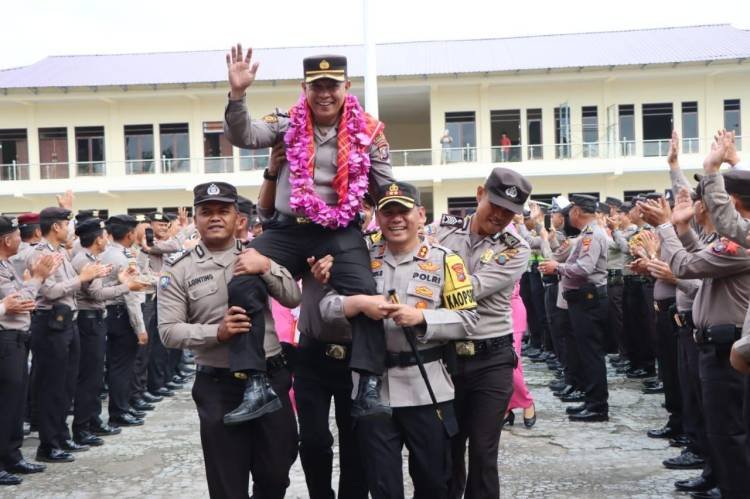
[[56, 360]]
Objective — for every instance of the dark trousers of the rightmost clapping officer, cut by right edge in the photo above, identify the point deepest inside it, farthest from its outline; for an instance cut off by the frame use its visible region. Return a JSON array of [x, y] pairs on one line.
[[724, 391]]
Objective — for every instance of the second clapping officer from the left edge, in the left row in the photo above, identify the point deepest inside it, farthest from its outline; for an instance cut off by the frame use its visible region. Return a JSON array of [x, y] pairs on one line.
[[54, 337]]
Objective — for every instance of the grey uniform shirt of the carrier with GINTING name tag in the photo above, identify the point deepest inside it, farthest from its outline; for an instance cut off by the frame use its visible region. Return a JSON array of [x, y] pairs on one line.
[[193, 299]]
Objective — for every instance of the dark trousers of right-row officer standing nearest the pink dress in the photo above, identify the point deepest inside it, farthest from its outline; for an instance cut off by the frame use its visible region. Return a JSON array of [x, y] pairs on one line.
[[588, 317]]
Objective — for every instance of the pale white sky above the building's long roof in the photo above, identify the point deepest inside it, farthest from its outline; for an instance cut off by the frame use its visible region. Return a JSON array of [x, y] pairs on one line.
[[34, 29]]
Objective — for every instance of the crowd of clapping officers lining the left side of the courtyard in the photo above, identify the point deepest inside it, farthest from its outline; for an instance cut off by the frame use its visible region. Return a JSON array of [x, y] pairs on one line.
[[78, 300]]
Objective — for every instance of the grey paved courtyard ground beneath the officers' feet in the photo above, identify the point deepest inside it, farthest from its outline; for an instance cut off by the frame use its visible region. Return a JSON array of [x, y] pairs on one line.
[[554, 459]]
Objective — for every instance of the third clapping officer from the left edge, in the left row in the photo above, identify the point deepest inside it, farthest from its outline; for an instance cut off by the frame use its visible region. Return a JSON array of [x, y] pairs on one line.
[[92, 328]]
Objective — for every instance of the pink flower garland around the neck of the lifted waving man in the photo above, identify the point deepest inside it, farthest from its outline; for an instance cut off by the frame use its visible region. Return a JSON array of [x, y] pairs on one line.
[[300, 152]]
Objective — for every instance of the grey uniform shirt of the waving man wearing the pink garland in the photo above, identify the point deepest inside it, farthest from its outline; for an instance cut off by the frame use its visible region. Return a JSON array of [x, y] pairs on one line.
[[247, 133]]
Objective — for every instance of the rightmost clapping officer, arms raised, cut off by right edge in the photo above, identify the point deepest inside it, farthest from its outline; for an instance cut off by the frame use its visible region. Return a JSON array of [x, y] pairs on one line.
[[718, 312]]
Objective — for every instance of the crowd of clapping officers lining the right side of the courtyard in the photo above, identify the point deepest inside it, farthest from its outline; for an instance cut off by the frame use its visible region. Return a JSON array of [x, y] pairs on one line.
[[661, 283]]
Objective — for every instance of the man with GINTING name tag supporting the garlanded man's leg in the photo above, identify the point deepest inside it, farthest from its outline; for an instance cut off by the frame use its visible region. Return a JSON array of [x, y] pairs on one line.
[[193, 313]]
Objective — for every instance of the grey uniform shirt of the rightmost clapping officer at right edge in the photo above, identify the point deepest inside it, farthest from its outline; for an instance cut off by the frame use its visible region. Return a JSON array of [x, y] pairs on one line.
[[725, 269]]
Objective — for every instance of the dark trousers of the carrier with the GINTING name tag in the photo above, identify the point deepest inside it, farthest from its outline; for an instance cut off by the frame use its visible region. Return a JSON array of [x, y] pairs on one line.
[[265, 447]]
